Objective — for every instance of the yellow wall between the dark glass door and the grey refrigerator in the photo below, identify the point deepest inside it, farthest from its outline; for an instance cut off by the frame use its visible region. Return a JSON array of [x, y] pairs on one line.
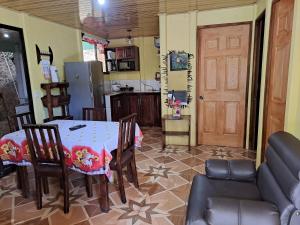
[[64, 41]]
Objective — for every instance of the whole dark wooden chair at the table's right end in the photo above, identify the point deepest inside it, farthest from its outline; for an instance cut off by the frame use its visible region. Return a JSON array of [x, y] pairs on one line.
[[124, 155]]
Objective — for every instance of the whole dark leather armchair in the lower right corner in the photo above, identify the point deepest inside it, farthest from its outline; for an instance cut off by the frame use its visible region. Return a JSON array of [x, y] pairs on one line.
[[233, 193]]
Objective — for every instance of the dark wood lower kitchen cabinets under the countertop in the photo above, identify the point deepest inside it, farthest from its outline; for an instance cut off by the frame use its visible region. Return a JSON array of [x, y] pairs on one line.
[[146, 105]]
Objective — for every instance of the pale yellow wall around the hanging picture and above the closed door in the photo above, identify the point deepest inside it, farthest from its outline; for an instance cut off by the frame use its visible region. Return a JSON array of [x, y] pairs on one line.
[[179, 32]]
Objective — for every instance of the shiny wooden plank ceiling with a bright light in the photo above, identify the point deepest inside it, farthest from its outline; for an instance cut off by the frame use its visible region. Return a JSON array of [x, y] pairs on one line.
[[115, 17]]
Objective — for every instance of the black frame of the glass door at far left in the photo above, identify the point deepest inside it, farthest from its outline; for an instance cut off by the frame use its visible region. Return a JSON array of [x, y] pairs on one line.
[[25, 64]]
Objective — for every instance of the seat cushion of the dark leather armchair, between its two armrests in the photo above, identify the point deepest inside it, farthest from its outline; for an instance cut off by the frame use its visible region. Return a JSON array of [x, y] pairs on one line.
[[203, 188]]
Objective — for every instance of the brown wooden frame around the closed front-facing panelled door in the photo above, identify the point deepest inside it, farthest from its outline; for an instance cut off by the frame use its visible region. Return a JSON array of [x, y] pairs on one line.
[[250, 23]]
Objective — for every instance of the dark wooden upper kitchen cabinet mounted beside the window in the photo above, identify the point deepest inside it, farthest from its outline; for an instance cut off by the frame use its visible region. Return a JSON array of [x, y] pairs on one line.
[[122, 59]]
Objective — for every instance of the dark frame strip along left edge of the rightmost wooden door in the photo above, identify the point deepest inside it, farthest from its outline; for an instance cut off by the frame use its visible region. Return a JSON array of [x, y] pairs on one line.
[[267, 82]]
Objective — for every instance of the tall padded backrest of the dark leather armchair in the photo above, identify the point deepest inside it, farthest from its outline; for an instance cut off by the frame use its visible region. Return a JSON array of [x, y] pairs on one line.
[[279, 177]]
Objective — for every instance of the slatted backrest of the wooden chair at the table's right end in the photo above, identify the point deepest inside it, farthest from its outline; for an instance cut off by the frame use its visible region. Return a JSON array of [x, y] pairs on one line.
[[126, 140]]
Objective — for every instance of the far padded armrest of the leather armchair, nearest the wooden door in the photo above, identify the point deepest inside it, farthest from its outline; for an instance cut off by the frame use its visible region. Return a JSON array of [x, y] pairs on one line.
[[239, 170]]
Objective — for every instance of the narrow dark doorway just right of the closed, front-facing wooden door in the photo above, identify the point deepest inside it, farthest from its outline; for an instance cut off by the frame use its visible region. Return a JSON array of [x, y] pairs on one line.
[[256, 80]]
